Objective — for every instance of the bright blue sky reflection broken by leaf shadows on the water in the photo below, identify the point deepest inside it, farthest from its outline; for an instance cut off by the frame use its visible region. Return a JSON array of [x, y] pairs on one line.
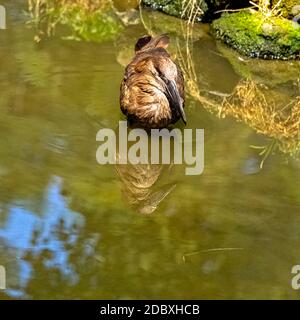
[[35, 232]]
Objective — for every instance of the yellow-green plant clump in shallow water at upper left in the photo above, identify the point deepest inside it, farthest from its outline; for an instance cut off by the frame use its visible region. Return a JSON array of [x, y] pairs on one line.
[[83, 19]]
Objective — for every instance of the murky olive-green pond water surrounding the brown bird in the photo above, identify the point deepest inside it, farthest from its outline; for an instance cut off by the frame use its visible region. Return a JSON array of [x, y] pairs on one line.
[[70, 228]]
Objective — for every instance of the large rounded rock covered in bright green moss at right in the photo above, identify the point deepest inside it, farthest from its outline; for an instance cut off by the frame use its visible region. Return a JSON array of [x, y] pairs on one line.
[[256, 36]]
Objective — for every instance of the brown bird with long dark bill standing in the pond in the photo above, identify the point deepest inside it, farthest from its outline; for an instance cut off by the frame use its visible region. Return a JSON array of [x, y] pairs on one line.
[[152, 92]]
